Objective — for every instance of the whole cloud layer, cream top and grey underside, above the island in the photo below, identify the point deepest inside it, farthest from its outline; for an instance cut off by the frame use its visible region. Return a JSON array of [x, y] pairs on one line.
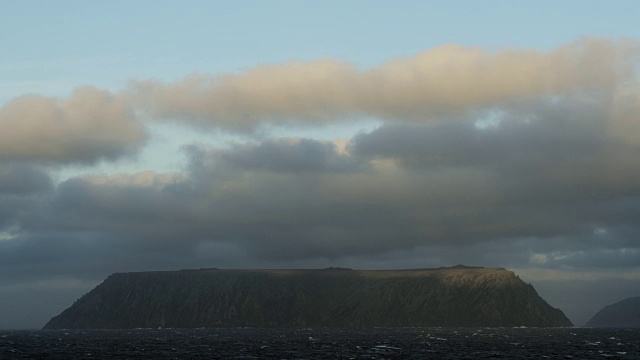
[[513, 158]]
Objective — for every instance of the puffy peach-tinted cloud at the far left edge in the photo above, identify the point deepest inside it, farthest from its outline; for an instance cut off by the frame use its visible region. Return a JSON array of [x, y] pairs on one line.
[[88, 126]]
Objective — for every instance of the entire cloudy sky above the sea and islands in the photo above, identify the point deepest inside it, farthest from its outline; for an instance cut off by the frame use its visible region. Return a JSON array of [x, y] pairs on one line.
[[157, 135]]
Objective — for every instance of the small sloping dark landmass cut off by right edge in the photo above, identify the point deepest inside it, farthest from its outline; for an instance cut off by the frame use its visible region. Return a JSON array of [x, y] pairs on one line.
[[623, 314]]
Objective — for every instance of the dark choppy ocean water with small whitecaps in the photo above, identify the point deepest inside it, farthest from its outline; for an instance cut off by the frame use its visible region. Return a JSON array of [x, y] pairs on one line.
[[376, 343]]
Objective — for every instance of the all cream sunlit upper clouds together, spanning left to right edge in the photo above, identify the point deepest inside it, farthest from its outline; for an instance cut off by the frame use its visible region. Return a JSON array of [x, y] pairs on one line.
[[441, 84]]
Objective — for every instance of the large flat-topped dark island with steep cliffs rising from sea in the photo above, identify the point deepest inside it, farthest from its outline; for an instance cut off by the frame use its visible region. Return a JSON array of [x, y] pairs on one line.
[[311, 298]]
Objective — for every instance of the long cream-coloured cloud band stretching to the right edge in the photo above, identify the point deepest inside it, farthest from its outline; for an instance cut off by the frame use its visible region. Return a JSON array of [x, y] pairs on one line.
[[419, 88]]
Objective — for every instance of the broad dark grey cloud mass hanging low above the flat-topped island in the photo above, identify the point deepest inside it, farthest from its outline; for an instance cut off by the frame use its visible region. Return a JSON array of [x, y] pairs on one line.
[[546, 175]]
